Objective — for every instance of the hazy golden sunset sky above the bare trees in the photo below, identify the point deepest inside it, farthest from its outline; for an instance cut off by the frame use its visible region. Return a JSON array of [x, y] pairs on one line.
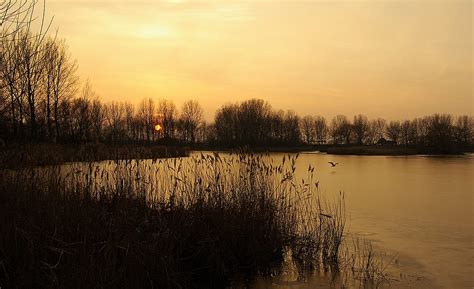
[[394, 59]]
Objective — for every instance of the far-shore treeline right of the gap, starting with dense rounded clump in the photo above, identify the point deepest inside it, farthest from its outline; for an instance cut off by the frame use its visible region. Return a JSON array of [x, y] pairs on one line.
[[254, 122]]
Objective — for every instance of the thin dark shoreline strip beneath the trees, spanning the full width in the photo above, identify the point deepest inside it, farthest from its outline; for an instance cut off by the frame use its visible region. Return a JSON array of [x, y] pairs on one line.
[[42, 154]]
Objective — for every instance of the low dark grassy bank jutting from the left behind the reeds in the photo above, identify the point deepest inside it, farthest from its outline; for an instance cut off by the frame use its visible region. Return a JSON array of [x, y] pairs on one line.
[[41, 154]]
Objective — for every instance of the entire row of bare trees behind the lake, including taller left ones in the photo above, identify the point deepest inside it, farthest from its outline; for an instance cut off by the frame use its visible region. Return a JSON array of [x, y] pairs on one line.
[[42, 99]]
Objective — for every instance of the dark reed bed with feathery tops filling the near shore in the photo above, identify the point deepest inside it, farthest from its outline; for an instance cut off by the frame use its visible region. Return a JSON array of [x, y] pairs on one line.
[[201, 222]]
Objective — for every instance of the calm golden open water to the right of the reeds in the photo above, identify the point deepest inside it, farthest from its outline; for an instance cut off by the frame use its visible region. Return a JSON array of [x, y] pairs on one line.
[[417, 208]]
